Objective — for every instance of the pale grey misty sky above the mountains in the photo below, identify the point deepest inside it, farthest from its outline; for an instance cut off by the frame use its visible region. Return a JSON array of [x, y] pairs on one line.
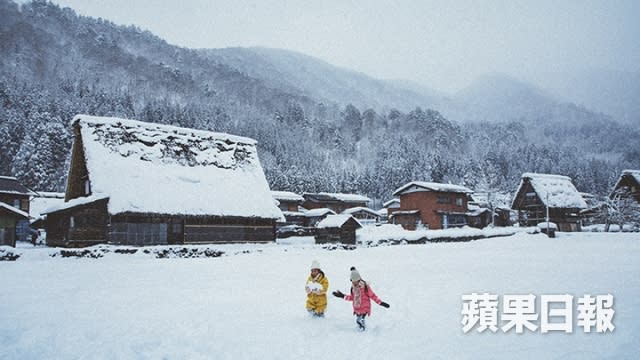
[[441, 44]]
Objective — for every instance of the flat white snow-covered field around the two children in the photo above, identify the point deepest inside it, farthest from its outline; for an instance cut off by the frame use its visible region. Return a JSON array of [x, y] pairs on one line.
[[249, 303]]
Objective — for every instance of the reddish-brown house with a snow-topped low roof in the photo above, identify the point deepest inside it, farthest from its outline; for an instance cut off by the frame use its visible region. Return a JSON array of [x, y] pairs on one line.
[[430, 205]]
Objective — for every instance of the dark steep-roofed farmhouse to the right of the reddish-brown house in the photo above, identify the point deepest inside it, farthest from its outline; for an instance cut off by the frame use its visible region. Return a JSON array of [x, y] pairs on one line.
[[538, 193]]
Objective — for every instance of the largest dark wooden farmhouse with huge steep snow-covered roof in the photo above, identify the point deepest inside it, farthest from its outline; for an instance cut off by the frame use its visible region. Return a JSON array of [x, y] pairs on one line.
[[138, 183]]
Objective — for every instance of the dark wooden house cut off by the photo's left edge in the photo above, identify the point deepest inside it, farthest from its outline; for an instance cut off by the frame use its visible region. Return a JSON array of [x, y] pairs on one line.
[[14, 211]]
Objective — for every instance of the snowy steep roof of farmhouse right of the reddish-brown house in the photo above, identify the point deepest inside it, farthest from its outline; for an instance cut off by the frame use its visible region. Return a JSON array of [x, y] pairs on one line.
[[555, 191]]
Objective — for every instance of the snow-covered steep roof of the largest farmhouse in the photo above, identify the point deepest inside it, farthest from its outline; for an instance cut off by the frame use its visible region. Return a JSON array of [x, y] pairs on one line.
[[152, 168]]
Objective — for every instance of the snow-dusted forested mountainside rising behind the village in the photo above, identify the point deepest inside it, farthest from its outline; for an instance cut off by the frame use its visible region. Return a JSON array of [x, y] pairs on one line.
[[319, 127]]
